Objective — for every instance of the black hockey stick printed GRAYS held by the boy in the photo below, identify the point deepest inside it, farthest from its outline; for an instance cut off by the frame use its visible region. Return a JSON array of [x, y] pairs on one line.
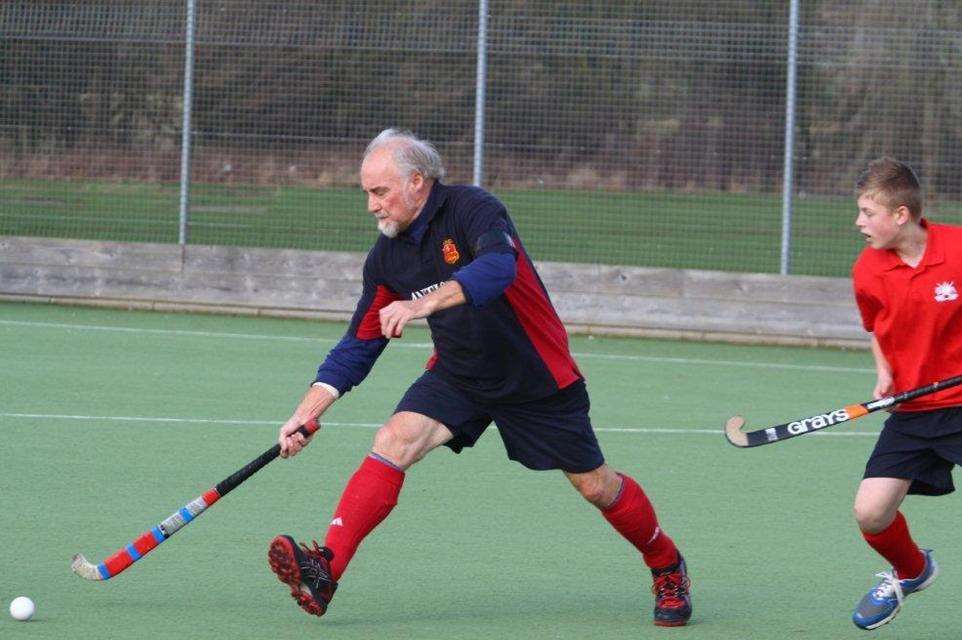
[[739, 438]]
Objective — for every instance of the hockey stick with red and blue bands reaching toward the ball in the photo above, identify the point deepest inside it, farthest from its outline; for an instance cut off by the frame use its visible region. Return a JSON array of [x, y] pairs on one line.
[[155, 535]]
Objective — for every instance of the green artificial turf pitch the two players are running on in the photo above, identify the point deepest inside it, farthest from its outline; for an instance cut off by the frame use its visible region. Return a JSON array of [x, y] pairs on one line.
[[111, 420]]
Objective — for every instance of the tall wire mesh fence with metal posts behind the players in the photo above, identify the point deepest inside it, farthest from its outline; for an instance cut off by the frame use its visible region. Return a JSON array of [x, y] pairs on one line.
[[639, 133]]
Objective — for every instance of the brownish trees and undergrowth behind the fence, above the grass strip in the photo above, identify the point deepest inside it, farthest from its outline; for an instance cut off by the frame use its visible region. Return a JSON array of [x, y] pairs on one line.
[[634, 95]]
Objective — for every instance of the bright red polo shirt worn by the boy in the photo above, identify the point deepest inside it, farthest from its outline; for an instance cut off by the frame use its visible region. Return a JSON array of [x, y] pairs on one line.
[[916, 313]]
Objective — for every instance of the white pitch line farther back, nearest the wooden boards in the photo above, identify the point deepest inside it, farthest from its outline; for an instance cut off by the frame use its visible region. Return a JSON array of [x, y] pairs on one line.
[[428, 345]]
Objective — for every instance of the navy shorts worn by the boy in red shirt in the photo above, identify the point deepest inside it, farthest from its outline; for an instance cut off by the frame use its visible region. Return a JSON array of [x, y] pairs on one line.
[[921, 446]]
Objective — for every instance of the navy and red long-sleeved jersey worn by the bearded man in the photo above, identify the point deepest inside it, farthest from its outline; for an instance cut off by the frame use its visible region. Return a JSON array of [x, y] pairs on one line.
[[506, 344]]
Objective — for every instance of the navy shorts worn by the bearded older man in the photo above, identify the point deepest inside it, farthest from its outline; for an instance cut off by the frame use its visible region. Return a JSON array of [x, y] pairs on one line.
[[548, 433]]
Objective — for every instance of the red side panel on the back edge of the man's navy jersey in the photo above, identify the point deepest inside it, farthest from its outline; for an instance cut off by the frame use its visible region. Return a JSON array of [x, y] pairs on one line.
[[540, 322]]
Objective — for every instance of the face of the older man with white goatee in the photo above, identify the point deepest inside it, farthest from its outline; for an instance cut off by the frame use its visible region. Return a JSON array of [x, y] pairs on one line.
[[390, 196]]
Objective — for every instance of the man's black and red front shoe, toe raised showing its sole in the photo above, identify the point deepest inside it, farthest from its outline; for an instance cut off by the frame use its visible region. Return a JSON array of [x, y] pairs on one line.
[[306, 571]]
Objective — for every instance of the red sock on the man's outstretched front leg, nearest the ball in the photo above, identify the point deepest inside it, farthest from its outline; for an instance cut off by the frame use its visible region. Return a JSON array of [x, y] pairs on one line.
[[368, 498]]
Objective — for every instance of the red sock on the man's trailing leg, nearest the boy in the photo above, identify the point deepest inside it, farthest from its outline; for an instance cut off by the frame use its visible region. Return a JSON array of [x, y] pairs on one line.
[[632, 515]]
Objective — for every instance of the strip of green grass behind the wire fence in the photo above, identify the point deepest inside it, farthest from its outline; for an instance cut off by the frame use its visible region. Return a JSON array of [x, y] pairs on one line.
[[734, 232]]
